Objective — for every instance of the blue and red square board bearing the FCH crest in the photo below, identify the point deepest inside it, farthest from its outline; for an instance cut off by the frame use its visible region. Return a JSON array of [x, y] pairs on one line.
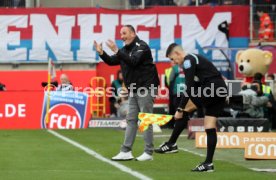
[[67, 110]]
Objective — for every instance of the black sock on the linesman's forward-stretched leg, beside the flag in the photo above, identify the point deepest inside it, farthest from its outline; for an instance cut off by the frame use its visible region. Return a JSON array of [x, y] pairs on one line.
[[178, 128]]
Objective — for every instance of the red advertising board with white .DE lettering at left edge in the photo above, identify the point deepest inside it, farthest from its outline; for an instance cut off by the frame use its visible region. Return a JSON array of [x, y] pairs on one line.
[[21, 110]]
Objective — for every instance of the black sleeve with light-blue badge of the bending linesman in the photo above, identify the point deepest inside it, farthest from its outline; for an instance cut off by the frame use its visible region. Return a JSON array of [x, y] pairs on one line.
[[189, 69]]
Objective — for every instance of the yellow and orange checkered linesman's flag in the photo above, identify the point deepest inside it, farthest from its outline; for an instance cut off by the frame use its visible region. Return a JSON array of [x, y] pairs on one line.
[[148, 119]]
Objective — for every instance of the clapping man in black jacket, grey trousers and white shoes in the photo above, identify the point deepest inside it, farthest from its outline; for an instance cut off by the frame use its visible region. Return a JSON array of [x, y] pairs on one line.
[[139, 71]]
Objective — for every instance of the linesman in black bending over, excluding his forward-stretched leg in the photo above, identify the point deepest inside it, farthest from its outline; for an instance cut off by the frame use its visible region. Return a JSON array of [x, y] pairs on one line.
[[204, 84]]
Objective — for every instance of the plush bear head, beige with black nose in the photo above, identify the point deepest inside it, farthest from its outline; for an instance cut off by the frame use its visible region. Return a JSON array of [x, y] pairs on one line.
[[252, 61]]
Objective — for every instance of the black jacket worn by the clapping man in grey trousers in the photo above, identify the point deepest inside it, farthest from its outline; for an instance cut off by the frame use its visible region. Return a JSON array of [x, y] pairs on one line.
[[136, 64]]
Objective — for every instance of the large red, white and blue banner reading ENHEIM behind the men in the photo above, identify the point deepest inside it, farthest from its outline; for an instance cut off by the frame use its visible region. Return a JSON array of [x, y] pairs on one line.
[[66, 34]]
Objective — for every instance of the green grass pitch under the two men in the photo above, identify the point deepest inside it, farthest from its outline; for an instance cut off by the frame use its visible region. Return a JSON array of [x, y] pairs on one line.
[[37, 154]]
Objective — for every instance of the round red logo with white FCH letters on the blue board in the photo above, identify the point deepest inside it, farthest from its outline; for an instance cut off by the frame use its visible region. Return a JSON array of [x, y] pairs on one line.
[[63, 116]]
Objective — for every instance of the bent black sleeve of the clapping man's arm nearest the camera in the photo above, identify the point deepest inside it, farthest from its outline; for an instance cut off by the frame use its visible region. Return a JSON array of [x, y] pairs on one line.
[[136, 57]]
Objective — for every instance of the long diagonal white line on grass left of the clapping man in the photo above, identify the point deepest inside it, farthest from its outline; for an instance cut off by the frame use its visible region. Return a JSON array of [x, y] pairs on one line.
[[100, 157]]
